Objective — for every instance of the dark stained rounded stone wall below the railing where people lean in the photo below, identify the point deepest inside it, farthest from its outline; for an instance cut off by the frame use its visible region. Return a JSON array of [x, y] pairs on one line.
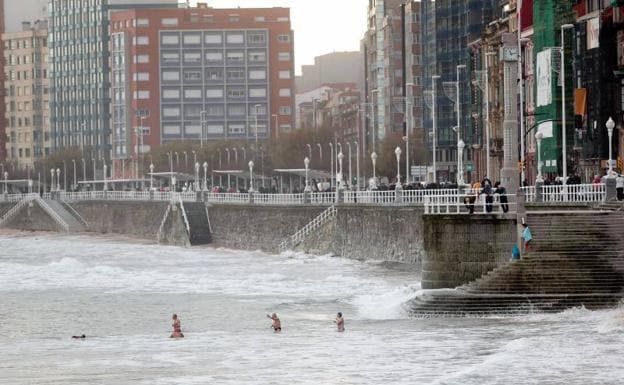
[[460, 249]]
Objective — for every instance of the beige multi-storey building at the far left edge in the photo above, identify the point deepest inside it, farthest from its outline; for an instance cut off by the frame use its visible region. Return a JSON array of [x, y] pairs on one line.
[[27, 93]]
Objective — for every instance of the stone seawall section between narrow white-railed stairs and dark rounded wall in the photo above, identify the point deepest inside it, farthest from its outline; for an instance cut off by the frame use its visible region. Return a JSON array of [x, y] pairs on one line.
[[372, 233]]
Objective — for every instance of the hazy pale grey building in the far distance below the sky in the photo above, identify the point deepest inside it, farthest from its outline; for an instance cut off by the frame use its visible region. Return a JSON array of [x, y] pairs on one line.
[[335, 67]]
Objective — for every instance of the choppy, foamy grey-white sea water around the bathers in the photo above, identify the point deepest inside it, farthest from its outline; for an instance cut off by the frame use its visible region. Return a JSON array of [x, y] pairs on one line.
[[122, 294]]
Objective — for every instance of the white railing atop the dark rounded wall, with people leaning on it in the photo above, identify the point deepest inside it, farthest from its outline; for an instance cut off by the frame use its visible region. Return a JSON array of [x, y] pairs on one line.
[[463, 203]]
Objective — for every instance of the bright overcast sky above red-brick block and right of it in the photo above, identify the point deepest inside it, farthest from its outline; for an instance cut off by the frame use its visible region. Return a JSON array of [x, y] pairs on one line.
[[321, 26]]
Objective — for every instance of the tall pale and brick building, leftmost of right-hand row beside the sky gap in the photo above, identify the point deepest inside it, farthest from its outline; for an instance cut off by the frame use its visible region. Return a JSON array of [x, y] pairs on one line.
[[393, 66]]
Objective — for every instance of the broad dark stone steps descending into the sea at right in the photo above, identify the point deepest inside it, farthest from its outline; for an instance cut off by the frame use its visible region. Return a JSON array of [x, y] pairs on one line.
[[577, 260]]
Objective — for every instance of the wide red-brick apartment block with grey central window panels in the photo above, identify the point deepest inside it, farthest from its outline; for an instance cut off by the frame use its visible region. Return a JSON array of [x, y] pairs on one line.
[[200, 74]]
